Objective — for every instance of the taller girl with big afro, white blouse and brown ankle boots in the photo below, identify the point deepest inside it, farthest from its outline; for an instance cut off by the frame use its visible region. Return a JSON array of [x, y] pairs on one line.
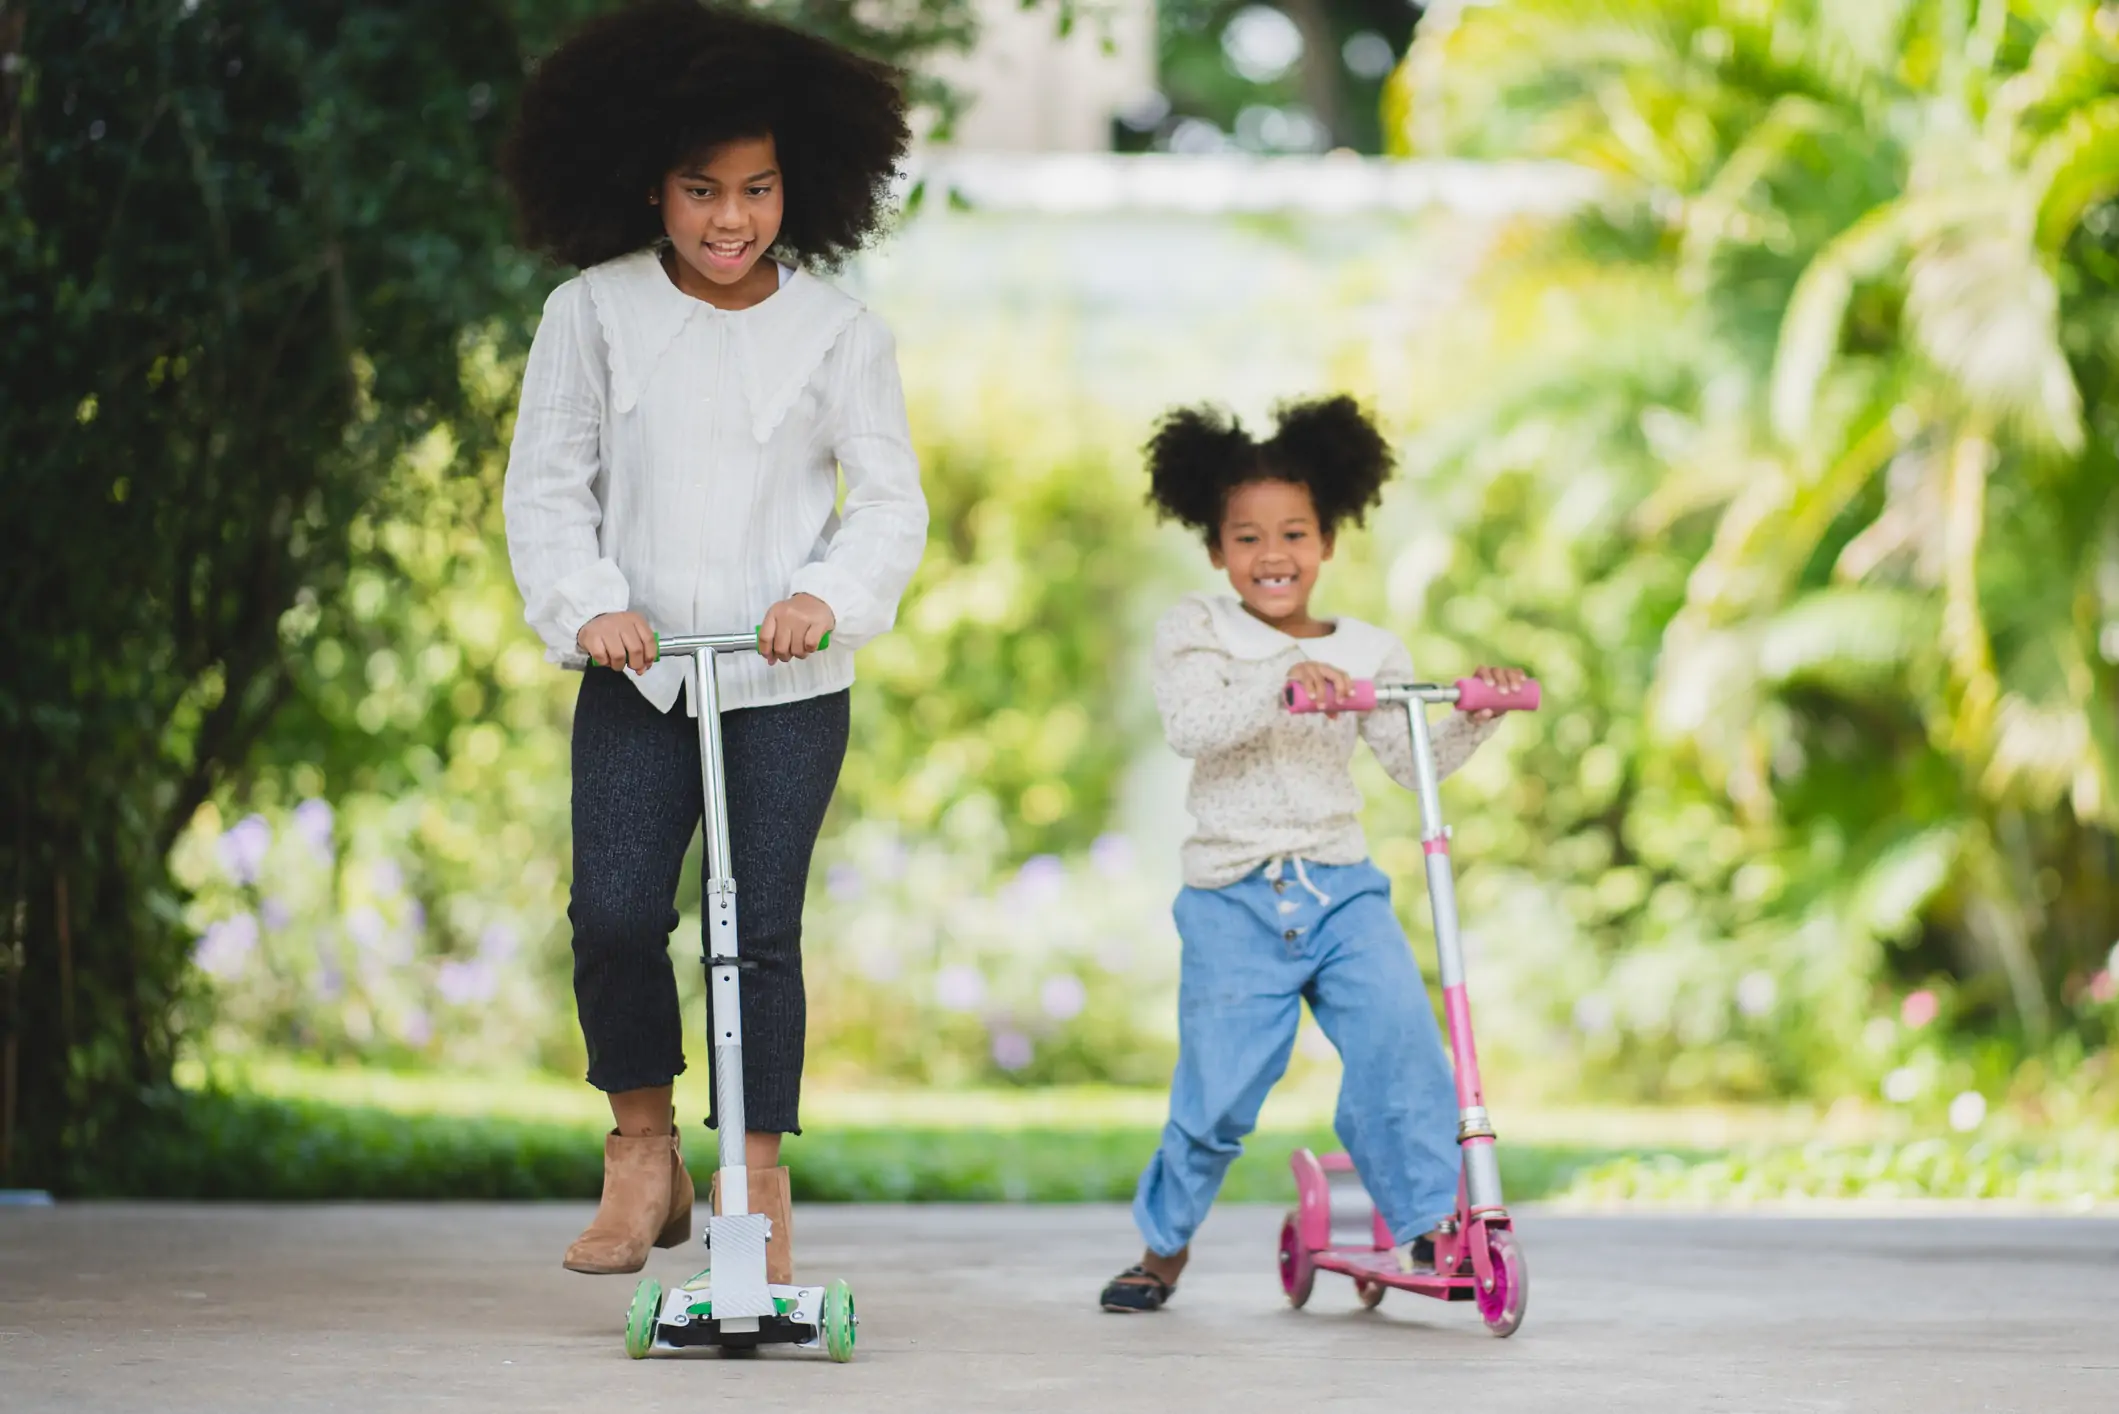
[[690, 408]]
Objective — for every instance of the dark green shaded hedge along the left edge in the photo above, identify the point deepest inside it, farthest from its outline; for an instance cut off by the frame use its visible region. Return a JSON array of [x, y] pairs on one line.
[[236, 270]]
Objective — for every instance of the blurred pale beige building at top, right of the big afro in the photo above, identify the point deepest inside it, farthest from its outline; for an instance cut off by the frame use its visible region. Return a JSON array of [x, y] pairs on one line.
[[1035, 92]]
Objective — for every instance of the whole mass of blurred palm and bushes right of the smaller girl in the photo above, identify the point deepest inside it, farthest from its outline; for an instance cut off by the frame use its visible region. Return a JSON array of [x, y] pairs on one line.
[[1792, 463]]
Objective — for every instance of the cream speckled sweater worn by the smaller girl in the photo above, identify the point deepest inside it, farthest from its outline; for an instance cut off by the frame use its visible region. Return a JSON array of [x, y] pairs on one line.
[[1266, 783]]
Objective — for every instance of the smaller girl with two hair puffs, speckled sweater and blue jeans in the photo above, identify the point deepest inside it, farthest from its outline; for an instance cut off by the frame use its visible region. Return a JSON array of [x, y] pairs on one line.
[[1281, 902]]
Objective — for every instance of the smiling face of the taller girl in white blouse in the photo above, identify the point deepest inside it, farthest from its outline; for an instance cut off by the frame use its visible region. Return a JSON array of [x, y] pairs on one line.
[[724, 213]]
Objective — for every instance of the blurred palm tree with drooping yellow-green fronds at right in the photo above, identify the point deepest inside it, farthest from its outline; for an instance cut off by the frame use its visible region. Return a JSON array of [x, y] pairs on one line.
[[1881, 245]]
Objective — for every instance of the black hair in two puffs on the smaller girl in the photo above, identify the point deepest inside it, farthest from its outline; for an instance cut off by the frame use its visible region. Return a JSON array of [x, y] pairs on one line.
[[1328, 446]]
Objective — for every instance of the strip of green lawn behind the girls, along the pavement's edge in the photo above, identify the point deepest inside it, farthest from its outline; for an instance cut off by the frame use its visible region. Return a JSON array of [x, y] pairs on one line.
[[293, 1131]]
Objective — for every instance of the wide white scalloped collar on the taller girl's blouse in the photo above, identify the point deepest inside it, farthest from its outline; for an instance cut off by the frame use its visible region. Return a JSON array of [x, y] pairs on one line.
[[779, 342]]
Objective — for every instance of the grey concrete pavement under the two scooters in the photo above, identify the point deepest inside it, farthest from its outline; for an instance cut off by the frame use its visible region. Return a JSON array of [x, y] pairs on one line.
[[306, 1309]]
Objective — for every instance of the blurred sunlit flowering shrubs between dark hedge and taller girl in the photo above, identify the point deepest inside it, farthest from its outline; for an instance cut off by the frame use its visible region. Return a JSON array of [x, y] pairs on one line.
[[397, 881]]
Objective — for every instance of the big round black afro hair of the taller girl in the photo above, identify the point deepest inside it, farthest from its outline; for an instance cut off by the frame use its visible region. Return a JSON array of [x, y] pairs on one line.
[[635, 94]]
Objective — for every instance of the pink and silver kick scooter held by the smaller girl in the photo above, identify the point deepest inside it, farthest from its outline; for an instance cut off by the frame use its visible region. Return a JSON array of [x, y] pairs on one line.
[[1336, 1226]]
